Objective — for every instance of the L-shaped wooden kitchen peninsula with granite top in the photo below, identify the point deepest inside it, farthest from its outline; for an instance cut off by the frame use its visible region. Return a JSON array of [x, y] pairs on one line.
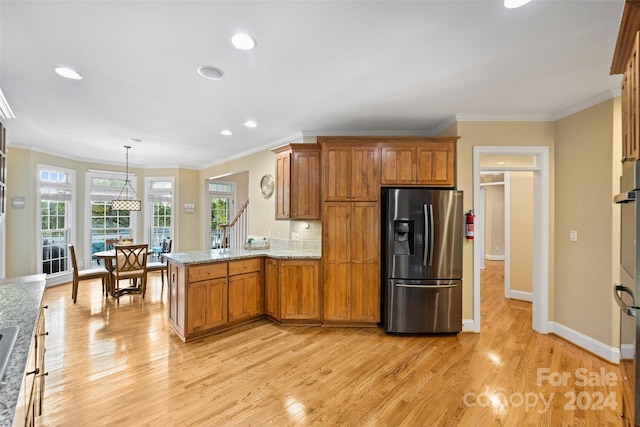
[[218, 289]]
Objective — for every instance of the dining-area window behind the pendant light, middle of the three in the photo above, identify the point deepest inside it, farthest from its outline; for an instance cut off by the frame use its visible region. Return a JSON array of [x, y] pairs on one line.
[[106, 223]]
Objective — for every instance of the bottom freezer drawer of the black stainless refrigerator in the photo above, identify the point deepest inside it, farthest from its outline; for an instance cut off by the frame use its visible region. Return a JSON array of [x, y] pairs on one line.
[[433, 306]]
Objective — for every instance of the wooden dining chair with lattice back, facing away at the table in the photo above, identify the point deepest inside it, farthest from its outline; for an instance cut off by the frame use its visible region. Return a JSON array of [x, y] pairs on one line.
[[130, 264]]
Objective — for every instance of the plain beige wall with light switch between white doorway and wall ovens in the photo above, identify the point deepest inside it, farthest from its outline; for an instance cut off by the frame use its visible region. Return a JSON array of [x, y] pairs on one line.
[[584, 202]]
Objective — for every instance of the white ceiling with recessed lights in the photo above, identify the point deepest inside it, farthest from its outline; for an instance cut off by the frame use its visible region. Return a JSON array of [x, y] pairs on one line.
[[328, 67]]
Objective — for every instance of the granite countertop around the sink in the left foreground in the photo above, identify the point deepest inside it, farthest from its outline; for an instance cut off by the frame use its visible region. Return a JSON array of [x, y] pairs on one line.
[[20, 301]]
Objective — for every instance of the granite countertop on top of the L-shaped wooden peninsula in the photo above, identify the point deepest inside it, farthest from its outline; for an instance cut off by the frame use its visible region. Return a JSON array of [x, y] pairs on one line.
[[213, 255]]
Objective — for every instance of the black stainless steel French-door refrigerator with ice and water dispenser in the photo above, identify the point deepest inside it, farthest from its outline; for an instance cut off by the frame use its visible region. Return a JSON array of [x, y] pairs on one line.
[[422, 238]]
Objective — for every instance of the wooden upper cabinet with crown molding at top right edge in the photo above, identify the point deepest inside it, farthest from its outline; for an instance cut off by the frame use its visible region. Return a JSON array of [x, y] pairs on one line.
[[626, 62]]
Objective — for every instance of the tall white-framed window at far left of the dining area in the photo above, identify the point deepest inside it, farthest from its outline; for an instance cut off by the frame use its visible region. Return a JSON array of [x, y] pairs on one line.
[[56, 188]]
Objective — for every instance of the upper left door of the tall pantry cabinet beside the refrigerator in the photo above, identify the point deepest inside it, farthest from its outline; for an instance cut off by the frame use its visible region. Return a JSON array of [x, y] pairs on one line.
[[337, 163]]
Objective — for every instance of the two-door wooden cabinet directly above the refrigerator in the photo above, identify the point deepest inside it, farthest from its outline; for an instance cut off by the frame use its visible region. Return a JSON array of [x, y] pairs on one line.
[[419, 161]]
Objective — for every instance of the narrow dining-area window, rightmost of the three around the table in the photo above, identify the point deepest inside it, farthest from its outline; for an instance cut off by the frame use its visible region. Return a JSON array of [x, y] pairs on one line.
[[159, 195]]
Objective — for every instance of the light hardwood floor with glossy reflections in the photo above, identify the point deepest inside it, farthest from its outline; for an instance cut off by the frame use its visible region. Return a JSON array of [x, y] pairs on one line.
[[120, 365]]
